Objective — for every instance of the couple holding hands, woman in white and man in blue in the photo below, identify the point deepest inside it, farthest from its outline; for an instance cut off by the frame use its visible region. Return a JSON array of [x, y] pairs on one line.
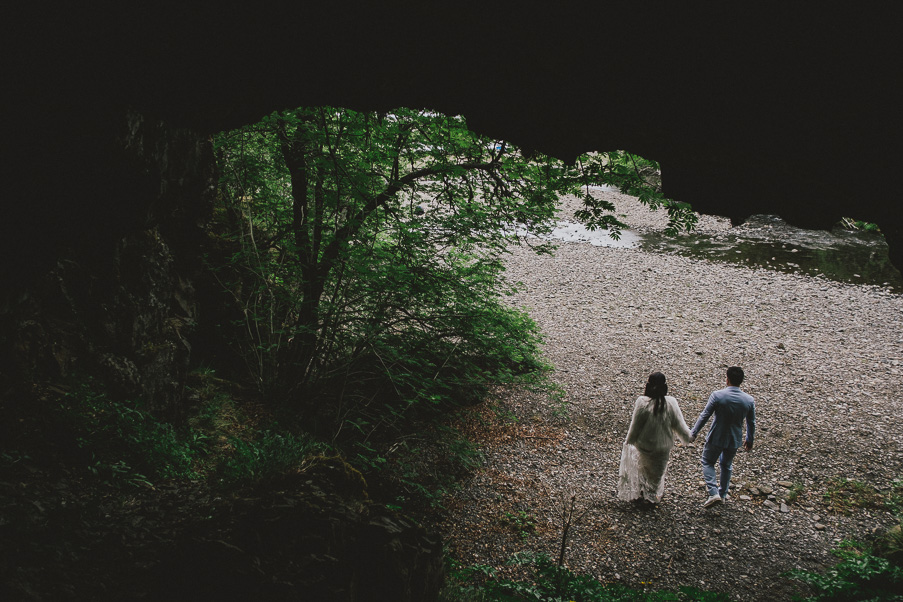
[[657, 418]]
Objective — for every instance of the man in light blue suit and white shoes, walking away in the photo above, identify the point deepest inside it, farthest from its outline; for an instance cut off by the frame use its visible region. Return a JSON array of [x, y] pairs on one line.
[[731, 407]]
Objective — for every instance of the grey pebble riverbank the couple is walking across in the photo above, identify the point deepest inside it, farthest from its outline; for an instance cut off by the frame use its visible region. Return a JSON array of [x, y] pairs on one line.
[[823, 359]]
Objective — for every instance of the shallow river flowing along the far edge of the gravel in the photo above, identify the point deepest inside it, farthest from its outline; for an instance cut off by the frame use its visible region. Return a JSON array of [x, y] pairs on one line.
[[766, 241]]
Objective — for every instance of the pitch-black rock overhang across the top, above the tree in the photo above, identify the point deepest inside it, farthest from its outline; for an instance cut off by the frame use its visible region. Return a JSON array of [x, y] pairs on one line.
[[788, 110]]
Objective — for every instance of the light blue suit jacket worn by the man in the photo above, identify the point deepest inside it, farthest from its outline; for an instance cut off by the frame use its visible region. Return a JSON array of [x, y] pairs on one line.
[[731, 407]]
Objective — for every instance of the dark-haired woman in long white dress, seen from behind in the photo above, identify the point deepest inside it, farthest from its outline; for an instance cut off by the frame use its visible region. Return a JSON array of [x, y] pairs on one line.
[[644, 458]]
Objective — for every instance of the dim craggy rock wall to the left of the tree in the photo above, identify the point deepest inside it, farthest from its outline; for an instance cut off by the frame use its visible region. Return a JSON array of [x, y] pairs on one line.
[[123, 310]]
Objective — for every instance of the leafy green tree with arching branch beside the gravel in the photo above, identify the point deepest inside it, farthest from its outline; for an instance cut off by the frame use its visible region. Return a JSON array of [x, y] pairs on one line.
[[369, 248]]
